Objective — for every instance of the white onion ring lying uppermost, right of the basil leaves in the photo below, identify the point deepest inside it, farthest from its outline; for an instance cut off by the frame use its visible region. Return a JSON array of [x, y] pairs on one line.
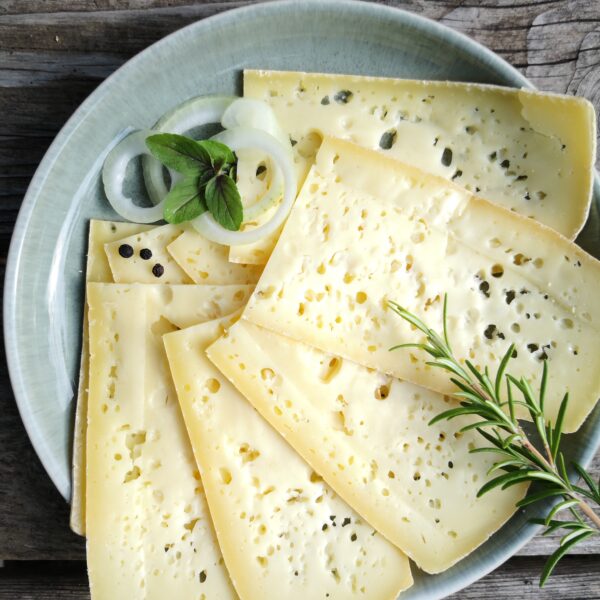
[[247, 137]]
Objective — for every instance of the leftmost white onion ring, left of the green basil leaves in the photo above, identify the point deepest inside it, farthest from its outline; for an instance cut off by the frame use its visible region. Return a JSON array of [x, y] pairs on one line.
[[113, 178]]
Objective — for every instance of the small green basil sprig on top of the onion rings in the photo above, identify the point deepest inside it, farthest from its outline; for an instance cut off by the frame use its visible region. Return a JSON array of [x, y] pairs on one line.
[[208, 184]]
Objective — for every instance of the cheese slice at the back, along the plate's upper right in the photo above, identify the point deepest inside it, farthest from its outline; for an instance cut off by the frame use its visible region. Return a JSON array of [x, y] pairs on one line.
[[528, 151]]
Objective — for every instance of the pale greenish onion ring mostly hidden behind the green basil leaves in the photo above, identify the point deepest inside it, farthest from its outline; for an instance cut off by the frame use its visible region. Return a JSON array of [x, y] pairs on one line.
[[195, 112]]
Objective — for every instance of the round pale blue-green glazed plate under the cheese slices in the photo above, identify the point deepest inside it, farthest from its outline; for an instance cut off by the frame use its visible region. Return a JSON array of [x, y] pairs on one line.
[[44, 279]]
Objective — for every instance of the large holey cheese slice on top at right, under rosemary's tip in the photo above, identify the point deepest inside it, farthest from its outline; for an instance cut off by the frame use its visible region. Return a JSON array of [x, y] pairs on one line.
[[366, 230]]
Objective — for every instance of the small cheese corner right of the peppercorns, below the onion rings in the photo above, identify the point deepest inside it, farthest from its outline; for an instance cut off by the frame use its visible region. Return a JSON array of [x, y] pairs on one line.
[[207, 262]]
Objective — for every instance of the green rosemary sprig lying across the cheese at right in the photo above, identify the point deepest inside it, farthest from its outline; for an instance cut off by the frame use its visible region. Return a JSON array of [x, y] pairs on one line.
[[482, 396]]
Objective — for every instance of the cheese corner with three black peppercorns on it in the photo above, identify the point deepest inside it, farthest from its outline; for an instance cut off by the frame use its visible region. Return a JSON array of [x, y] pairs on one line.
[[159, 267]]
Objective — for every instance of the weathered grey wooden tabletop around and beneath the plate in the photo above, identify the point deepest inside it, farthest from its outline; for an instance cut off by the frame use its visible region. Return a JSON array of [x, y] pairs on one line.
[[53, 53]]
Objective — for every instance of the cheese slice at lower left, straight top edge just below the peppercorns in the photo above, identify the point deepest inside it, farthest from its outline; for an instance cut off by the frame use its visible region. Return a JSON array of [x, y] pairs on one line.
[[148, 527]]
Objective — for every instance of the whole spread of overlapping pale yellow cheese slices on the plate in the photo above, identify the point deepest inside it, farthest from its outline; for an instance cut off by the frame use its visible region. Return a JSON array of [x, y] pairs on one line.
[[286, 451]]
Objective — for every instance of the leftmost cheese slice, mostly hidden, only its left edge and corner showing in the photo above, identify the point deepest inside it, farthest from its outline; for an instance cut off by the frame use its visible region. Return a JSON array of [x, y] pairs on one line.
[[98, 269]]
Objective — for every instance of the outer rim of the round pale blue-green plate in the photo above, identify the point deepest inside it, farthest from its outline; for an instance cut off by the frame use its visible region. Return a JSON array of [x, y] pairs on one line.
[[17, 376]]
